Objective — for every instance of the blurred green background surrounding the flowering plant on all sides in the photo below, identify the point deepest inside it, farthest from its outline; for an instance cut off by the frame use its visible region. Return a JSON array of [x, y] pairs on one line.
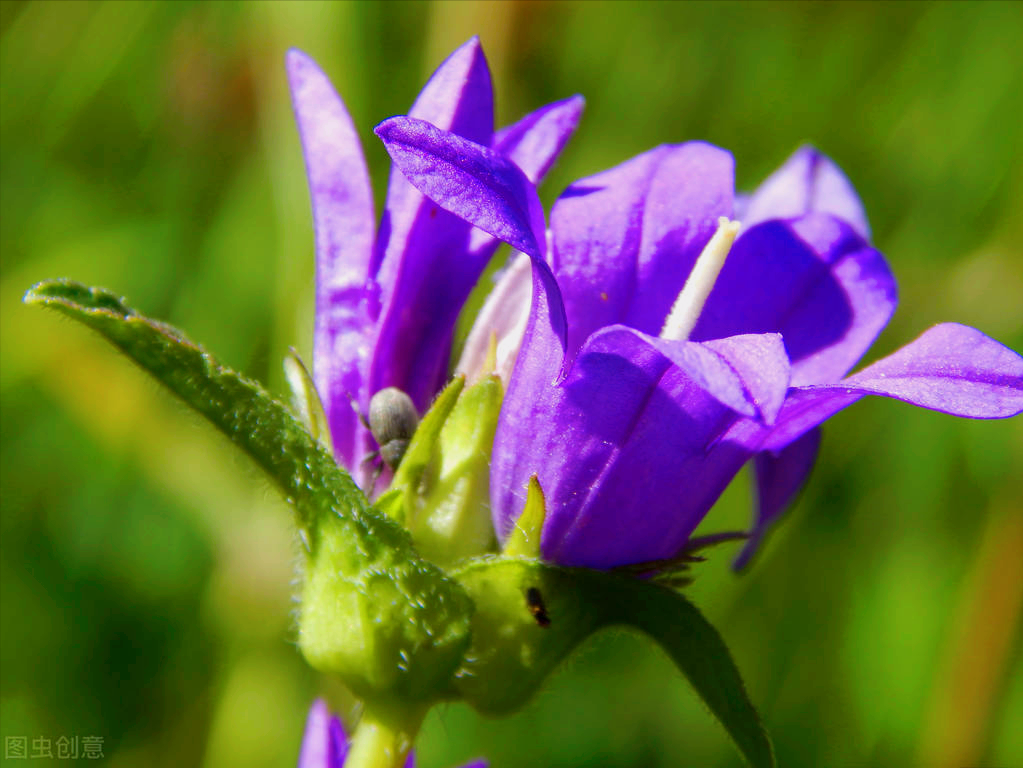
[[148, 569]]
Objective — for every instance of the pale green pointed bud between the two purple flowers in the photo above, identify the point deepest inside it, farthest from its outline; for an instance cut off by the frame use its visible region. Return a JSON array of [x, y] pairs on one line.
[[446, 475]]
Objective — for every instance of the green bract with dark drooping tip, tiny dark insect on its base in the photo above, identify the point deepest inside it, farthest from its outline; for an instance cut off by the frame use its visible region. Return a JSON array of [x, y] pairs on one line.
[[529, 616]]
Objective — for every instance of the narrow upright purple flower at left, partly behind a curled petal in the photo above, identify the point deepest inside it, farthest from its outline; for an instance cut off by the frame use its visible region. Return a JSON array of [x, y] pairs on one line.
[[387, 299]]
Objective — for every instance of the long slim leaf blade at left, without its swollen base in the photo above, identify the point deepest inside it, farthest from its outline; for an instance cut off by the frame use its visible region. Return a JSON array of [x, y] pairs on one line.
[[254, 421]]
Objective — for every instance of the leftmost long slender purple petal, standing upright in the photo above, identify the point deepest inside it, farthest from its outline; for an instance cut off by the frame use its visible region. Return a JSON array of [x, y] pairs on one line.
[[347, 298]]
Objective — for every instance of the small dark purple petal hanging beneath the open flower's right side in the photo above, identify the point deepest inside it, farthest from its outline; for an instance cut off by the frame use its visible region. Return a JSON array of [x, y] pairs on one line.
[[780, 478]]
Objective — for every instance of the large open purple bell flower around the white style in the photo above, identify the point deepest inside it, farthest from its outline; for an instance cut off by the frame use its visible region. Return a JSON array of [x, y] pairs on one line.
[[635, 429]]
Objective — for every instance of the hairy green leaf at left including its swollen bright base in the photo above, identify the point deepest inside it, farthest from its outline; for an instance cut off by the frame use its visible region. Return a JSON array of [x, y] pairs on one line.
[[392, 625]]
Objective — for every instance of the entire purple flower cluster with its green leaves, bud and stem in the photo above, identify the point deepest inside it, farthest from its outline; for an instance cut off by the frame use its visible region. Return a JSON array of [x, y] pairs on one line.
[[654, 336]]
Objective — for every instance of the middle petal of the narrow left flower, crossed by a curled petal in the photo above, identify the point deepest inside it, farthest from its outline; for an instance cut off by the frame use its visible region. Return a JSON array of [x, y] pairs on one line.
[[424, 272]]
